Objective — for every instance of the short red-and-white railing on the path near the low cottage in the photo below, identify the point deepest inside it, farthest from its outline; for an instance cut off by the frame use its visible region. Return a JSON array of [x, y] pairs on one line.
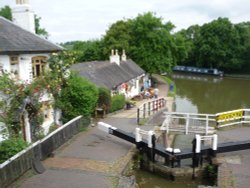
[[149, 108]]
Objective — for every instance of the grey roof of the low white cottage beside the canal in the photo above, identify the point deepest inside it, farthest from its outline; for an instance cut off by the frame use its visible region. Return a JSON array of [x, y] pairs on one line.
[[106, 74]]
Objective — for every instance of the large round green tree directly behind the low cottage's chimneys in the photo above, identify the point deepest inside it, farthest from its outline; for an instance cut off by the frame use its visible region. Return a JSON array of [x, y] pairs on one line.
[[147, 40]]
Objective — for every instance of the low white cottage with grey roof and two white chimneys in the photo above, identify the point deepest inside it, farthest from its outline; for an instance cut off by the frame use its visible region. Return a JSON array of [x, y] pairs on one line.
[[119, 74]]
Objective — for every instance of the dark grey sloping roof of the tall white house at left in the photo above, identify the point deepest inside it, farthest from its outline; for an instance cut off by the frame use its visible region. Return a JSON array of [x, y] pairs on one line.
[[15, 40]]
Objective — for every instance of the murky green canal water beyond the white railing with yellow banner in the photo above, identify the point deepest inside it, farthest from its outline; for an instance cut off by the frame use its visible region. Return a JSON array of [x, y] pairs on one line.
[[207, 94]]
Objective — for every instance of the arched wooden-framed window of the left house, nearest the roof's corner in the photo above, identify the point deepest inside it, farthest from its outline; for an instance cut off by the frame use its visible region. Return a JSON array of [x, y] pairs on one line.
[[38, 66]]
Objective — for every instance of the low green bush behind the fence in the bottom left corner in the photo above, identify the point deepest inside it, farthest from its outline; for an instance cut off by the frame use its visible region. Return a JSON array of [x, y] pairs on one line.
[[10, 147]]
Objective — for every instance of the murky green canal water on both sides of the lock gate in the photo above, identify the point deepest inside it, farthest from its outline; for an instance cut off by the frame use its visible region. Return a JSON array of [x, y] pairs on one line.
[[201, 94]]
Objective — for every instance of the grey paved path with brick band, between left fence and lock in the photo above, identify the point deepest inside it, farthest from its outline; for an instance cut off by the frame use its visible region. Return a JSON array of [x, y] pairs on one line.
[[92, 158]]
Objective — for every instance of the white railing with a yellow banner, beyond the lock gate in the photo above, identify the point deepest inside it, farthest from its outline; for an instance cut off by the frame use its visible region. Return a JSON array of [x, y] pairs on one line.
[[204, 123]]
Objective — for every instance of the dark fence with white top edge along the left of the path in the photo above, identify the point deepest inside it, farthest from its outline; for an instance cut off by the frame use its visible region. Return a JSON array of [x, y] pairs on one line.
[[17, 165]]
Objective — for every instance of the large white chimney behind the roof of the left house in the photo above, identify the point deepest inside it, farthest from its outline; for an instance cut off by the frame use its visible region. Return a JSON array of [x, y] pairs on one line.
[[23, 15]]
